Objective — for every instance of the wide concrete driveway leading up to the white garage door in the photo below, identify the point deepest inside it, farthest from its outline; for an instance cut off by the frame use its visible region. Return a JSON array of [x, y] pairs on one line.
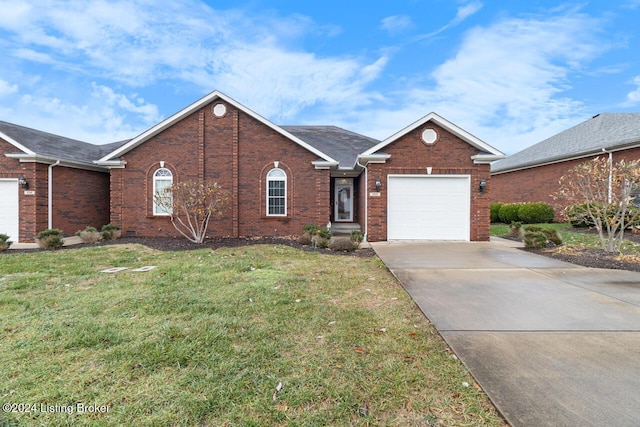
[[551, 343]]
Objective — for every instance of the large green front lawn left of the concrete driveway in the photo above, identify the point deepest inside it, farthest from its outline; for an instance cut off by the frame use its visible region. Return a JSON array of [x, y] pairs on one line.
[[205, 338]]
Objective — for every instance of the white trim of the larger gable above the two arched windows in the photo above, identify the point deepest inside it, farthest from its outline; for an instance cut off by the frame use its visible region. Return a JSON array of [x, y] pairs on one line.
[[111, 158]]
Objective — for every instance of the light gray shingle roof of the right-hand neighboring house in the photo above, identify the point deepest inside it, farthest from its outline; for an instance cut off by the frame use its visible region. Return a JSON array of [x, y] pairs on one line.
[[611, 131]]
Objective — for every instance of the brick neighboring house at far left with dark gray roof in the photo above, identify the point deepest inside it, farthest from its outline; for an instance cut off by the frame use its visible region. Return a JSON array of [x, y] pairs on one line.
[[48, 181]]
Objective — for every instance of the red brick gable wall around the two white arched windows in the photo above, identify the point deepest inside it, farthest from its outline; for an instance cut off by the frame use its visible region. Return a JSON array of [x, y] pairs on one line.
[[236, 151]]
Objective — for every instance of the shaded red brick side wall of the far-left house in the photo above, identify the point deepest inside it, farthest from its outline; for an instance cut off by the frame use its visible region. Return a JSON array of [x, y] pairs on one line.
[[80, 199]]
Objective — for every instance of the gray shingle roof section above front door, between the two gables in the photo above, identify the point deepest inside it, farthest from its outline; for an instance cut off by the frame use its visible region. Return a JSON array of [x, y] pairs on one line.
[[338, 143]]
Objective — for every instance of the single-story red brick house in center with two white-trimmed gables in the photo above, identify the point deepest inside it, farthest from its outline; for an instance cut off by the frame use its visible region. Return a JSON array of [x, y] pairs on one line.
[[427, 181]]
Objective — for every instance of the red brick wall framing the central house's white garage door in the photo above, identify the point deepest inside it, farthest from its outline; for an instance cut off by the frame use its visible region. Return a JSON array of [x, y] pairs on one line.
[[449, 155]]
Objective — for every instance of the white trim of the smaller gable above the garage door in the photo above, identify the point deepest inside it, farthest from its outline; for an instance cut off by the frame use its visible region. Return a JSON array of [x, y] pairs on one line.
[[486, 153]]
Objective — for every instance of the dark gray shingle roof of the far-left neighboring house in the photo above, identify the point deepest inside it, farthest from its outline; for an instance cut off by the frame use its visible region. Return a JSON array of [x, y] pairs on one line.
[[54, 146]]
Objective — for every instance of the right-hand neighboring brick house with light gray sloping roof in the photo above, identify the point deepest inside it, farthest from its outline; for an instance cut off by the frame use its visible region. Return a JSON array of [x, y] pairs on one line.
[[532, 175]]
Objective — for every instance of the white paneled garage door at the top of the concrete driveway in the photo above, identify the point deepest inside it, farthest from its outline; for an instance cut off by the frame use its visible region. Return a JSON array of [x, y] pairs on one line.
[[428, 207]]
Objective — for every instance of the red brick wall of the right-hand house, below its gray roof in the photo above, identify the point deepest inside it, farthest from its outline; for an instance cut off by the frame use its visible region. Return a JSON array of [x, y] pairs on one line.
[[540, 184]]
